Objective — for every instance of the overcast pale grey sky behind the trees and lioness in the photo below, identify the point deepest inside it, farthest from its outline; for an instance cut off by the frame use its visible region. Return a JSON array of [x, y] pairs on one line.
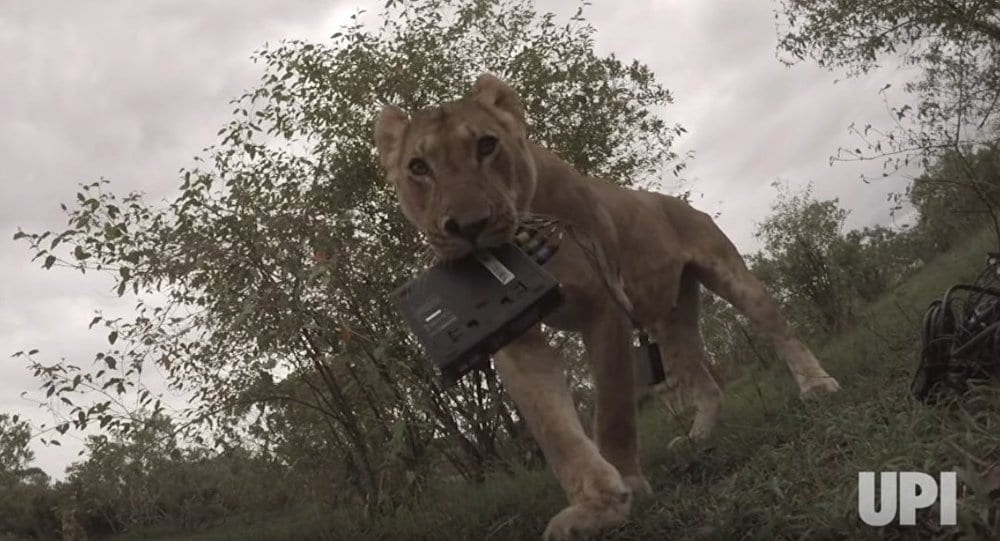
[[132, 91]]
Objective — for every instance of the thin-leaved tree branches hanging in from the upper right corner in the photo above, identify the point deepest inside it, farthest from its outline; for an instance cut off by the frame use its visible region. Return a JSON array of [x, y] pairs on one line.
[[954, 48]]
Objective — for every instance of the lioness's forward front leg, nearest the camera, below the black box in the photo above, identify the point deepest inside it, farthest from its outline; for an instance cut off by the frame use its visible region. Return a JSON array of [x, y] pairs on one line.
[[533, 375]]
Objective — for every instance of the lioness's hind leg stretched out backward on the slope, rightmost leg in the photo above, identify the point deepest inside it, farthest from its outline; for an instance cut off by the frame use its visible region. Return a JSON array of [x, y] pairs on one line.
[[726, 274]]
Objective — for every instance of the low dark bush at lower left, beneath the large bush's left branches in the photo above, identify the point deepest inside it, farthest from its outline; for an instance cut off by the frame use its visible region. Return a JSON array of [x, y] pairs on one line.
[[146, 477]]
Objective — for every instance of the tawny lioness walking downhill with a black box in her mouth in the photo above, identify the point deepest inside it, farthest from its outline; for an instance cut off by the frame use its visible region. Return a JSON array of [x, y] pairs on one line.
[[465, 175]]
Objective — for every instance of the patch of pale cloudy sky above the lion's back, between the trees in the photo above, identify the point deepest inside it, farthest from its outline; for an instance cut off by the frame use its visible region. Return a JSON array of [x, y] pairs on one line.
[[751, 120]]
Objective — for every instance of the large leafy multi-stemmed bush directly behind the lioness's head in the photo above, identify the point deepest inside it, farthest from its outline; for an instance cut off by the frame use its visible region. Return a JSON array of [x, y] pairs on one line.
[[262, 287]]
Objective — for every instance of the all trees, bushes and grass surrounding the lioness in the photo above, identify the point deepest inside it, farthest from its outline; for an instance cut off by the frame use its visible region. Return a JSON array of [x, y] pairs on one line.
[[260, 293]]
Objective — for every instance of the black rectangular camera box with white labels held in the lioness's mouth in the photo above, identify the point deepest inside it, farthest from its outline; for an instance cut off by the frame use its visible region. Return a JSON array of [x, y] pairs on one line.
[[463, 311]]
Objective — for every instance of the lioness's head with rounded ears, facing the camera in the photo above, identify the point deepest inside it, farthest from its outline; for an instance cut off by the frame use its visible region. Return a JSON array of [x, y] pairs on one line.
[[463, 170]]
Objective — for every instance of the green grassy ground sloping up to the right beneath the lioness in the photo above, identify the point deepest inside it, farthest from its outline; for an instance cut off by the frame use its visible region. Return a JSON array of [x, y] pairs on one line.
[[777, 468]]
